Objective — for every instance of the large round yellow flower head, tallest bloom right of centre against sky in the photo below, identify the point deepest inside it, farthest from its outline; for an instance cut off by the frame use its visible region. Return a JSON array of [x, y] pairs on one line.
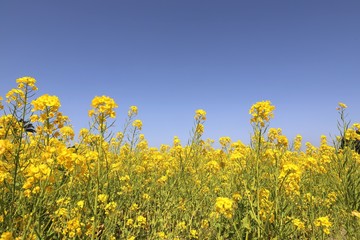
[[261, 112]]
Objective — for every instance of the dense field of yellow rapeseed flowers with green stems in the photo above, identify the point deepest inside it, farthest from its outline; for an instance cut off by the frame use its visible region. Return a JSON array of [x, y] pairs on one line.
[[112, 185]]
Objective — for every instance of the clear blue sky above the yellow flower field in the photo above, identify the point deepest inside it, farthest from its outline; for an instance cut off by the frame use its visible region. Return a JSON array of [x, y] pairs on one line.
[[172, 57]]
